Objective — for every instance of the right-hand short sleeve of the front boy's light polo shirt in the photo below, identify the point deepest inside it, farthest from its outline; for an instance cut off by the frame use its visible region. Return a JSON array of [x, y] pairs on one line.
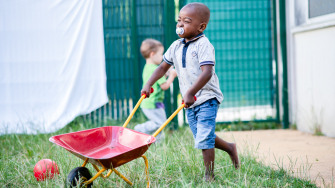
[[206, 53]]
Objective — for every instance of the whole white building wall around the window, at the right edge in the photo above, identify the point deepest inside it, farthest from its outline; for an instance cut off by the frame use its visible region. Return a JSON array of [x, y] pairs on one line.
[[311, 69]]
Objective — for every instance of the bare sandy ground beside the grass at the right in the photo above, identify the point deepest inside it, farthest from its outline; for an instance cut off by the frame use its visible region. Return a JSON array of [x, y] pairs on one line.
[[304, 155]]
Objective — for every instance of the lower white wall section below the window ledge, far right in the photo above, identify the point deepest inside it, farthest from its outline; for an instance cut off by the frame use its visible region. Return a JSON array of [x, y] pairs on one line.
[[315, 80]]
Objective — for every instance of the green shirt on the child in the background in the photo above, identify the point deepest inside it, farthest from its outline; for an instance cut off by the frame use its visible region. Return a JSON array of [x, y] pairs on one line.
[[158, 94]]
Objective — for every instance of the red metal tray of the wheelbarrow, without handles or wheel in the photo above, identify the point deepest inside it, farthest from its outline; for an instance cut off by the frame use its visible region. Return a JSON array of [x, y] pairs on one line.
[[112, 146]]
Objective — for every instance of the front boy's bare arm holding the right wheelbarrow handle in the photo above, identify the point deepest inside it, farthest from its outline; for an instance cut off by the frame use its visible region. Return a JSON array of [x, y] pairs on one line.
[[204, 77]]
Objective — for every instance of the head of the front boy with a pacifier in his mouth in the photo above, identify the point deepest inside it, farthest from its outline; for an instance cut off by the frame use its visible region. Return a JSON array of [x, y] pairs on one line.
[[193, 18]]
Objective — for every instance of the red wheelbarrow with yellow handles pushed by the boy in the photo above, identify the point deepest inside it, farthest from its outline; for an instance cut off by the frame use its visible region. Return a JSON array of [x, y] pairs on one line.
[[108, 148]]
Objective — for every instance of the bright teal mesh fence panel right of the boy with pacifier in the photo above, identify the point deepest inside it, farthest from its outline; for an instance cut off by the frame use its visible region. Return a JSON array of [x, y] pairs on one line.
[[241, 32]]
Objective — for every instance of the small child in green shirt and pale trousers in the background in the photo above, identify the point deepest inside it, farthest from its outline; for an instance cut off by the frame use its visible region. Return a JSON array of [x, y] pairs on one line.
[[153, 107]]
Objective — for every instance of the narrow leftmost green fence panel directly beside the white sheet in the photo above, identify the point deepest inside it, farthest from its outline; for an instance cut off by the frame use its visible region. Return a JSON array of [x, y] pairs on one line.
[[119, 56]]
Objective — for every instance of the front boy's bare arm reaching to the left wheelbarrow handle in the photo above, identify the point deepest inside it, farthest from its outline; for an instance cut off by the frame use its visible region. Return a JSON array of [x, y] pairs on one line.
[[159, 72]]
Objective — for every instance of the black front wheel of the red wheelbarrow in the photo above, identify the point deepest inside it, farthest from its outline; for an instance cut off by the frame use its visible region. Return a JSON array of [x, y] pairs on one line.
[[78, 175]]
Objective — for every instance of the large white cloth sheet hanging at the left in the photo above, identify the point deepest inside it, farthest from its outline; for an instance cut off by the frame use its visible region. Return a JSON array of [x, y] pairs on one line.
[[52, 63]]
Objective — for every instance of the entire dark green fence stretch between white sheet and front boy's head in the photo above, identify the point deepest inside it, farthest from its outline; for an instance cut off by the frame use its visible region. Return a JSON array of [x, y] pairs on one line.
[[126, 24]]
